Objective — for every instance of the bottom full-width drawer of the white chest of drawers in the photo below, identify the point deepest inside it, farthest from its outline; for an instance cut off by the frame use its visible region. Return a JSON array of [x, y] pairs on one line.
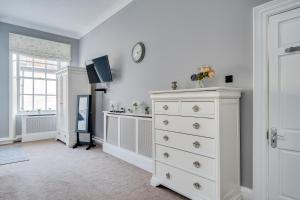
[[184, 182]]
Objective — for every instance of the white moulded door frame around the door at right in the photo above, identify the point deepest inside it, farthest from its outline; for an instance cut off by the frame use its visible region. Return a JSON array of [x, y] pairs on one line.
[[261, 16]]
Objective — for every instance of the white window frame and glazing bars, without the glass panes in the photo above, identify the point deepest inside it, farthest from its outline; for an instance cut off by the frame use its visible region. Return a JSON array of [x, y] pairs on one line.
[[21, 94]]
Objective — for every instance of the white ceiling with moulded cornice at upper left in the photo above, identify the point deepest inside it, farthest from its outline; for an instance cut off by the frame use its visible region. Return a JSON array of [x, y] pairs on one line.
[[71, 18]]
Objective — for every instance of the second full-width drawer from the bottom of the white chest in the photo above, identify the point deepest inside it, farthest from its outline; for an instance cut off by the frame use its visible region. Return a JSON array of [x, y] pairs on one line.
[[200, 165]]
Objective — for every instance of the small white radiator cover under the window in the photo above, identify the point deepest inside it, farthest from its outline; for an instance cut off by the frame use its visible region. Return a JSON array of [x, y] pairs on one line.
[[38, 127]]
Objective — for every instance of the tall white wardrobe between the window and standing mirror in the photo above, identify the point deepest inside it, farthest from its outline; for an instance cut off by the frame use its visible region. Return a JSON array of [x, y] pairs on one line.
[[71, 81]]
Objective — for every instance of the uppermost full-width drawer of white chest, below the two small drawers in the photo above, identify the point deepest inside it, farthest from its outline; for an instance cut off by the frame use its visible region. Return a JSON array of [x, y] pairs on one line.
[[190, 125]]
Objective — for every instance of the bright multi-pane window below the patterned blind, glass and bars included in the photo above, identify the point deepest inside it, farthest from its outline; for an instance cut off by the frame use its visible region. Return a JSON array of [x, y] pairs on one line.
[[36, 82]]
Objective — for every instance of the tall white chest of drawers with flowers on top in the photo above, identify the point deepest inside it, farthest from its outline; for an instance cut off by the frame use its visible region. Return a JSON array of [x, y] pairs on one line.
[[196, 142]]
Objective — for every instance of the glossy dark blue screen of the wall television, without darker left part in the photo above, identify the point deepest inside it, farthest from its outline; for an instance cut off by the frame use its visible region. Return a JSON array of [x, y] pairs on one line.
[[102, 68]]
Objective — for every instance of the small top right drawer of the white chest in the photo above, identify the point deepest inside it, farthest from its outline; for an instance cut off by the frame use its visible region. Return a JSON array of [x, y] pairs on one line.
[[201, 108]]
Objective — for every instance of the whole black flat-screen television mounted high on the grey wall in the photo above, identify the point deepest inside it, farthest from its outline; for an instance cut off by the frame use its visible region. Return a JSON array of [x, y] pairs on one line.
[[99, 71]]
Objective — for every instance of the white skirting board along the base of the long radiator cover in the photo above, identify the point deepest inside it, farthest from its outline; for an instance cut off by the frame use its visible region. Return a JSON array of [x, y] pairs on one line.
[[128, 156]]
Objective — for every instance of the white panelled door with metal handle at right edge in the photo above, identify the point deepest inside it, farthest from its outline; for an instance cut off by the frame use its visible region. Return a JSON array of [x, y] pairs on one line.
[[284, 106]]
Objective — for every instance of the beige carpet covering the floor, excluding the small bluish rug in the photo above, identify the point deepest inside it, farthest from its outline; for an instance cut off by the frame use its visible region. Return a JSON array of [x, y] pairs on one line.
[[55, 172]]
